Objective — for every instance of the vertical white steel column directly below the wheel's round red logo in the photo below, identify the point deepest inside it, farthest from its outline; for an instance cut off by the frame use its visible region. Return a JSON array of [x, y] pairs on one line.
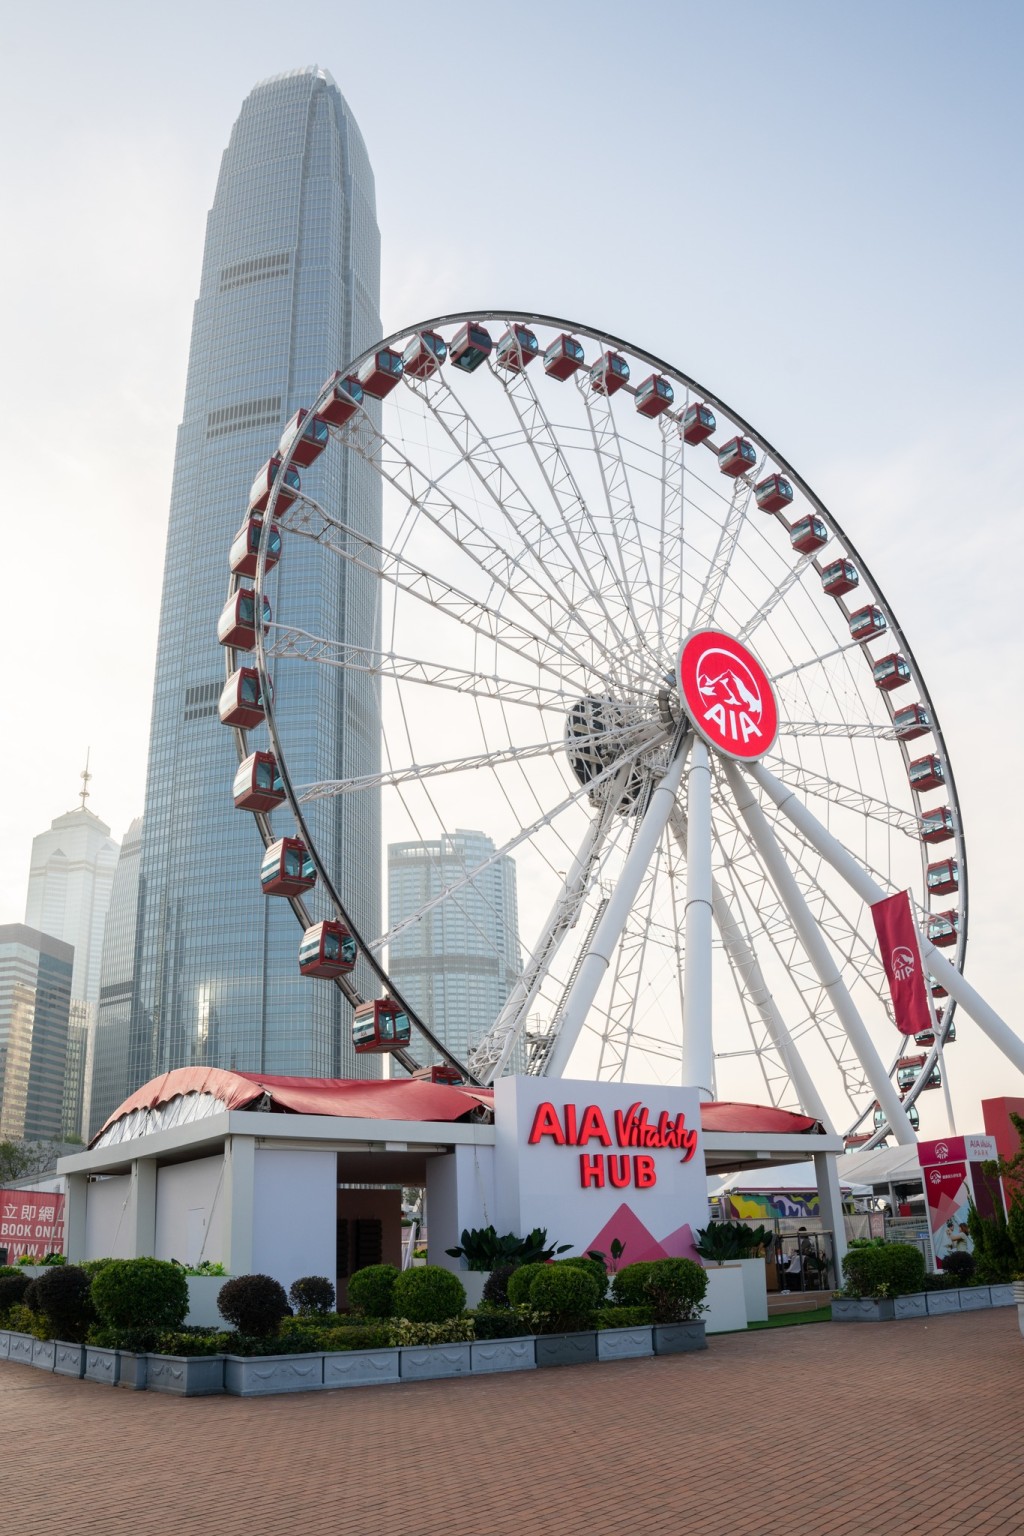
[[698, 1056]]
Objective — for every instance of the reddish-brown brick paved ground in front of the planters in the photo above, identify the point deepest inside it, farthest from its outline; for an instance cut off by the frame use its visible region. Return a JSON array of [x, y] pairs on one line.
[[821, 1431]]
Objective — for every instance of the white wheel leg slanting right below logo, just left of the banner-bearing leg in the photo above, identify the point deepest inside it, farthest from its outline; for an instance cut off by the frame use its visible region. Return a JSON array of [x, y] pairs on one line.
[[819, 955]]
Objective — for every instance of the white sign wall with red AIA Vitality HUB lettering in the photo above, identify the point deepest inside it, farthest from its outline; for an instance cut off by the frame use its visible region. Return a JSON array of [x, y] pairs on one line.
[[593, 1162]]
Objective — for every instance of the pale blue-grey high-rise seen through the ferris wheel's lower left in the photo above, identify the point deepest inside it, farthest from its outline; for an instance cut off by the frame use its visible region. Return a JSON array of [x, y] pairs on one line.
[[460, 962]]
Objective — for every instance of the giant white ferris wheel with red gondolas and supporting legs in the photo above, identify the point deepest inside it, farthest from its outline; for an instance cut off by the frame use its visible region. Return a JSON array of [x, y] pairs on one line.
[[566, 520]]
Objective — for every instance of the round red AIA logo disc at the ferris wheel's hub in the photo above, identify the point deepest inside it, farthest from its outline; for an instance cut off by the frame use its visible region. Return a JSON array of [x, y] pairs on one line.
[[728, 697]]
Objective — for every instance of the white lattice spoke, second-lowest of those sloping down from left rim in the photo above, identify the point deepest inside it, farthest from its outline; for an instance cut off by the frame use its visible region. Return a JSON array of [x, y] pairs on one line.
[[547, 649]]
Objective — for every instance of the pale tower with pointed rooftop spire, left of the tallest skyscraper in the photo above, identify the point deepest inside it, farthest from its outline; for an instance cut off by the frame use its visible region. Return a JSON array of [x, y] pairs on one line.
[[71, 876]]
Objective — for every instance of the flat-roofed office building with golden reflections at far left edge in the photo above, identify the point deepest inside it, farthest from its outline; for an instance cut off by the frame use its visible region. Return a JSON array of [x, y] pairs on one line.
[[36, 973]]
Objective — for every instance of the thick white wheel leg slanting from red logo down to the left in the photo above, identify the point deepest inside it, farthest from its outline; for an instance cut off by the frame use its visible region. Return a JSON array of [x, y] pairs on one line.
[[619, 907]]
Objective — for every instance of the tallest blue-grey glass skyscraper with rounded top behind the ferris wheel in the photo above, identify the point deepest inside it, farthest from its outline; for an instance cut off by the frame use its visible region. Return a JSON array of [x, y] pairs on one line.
[[289, 293]]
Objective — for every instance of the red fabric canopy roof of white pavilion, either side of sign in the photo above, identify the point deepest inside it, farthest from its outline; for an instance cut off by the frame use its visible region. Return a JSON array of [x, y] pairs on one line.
[[397, 1099]]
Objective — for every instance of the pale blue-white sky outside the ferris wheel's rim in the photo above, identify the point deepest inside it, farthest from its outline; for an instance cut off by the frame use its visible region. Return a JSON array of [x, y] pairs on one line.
[[813, 210]]
